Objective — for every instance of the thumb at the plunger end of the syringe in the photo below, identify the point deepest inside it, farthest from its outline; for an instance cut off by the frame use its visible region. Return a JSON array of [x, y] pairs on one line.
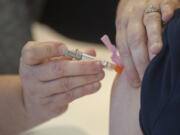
[[35, 52]]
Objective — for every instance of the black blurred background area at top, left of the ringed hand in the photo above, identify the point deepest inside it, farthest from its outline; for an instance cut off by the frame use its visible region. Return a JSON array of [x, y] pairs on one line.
[[85, 20]]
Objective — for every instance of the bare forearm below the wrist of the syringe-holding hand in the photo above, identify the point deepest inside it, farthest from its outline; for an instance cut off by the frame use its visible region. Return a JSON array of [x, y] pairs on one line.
[[12, 115]]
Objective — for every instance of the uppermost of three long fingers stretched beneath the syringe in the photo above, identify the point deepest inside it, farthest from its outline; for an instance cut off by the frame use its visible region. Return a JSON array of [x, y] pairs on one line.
[[58, 69]]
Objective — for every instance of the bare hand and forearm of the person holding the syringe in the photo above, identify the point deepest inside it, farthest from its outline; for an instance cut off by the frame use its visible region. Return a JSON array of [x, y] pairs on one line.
[[48, 82]]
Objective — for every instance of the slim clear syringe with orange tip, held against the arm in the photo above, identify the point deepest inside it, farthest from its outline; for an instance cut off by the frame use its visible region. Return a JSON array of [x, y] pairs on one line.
[[82, 56]]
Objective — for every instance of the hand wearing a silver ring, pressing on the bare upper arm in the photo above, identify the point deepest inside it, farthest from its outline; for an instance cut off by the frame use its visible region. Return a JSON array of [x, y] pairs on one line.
[[139, 35]]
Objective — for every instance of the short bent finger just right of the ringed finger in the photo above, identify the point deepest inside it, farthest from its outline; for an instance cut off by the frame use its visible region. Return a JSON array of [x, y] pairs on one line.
[[167, 11]]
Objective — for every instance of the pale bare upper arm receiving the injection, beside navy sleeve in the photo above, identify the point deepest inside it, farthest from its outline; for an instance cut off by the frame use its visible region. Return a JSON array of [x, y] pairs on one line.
[[124, 110]]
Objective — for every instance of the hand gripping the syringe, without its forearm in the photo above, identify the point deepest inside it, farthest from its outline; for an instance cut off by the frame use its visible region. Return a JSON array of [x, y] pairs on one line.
[[51, 81]]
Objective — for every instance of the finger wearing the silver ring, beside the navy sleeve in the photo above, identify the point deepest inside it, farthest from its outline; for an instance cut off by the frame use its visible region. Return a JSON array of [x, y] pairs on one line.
[[153, 26]]
